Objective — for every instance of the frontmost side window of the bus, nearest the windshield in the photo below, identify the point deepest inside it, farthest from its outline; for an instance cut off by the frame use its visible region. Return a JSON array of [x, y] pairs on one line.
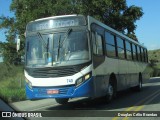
[[97, 44]]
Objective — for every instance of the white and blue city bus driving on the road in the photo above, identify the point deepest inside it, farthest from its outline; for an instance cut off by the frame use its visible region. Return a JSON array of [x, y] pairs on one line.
[[74, 56]]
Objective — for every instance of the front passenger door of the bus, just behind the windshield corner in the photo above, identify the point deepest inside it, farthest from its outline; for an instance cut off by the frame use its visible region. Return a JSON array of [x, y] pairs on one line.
[[98, 61]]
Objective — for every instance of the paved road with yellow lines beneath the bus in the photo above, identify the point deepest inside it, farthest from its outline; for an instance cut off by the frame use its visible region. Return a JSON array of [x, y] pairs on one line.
[[146, 100]]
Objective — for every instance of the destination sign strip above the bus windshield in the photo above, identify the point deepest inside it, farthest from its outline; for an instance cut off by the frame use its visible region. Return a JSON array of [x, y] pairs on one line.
[[56, 23]]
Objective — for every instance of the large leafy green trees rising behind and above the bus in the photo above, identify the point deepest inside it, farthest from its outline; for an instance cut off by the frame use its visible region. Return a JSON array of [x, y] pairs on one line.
[[114, 13]]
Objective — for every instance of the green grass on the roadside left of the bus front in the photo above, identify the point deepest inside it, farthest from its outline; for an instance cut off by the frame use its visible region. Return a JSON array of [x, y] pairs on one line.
[[12, 85]]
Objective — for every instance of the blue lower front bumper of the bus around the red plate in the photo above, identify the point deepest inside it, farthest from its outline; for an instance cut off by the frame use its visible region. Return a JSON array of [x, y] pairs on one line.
[[86, 89]]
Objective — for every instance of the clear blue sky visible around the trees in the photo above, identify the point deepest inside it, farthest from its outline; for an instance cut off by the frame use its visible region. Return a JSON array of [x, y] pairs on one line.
[[148, 27]]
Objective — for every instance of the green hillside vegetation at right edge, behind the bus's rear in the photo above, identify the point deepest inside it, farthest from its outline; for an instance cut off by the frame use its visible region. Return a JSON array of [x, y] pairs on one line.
[[154, 57]]
